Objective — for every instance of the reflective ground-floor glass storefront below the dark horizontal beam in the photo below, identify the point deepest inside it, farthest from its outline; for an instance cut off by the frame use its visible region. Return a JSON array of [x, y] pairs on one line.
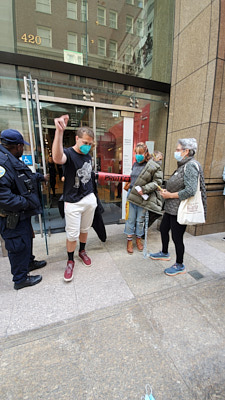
[[149, 125]]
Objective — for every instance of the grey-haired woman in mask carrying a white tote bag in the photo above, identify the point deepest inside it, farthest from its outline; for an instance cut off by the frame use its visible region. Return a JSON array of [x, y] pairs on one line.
[[185, 190]]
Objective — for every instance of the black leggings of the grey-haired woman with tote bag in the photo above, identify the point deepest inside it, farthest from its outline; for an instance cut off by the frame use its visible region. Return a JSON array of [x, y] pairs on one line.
[[169, 222]]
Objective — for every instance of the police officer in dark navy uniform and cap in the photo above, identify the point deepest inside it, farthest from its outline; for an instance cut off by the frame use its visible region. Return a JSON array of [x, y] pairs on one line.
[[19, 200]]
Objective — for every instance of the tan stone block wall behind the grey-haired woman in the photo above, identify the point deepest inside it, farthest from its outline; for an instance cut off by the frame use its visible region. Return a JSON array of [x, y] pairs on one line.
[[197, 98]]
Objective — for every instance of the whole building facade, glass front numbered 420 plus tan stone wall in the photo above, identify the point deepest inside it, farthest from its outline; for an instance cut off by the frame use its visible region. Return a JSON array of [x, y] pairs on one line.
[[109, 64]]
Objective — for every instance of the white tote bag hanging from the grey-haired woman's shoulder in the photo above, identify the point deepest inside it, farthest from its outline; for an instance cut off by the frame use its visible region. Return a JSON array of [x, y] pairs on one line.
[[191, 211]]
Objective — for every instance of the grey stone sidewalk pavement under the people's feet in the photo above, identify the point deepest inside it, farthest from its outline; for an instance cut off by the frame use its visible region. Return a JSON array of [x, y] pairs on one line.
[[118, 326]]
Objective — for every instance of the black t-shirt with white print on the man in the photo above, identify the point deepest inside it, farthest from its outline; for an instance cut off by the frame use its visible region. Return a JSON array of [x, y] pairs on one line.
[[77, 173]]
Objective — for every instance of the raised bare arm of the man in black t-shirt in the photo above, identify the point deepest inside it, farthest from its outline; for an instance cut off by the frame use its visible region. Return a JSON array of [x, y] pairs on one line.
[[58, 155]]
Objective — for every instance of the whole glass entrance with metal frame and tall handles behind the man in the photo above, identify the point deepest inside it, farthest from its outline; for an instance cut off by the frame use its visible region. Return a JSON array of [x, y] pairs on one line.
[[108, 122]]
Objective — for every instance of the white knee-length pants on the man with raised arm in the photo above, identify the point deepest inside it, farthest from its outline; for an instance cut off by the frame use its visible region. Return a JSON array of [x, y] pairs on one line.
[[79, 216]]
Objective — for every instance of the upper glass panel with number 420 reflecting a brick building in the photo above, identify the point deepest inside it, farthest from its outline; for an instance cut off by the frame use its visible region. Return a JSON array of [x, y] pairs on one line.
[[139, 33]]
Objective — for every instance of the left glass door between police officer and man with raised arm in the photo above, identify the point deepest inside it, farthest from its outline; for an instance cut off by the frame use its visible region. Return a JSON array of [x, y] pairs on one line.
[[79, 116]]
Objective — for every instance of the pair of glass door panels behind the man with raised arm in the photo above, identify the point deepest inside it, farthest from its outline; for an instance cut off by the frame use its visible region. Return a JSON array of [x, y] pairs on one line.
[[109, 140]]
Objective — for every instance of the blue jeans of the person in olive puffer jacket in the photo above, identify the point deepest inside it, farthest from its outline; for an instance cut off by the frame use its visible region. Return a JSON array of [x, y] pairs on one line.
[[135, 222]]
